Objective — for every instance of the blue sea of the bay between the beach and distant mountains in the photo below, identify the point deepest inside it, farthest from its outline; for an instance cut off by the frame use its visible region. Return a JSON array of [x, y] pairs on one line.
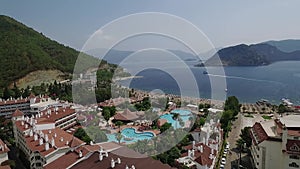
[[249, 84]]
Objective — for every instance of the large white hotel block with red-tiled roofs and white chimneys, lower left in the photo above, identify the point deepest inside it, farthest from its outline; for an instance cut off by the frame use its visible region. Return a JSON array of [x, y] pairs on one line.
[[42, 138]]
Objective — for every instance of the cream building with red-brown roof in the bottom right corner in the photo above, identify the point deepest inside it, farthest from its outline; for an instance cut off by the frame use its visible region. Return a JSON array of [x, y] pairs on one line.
[[276, 143]]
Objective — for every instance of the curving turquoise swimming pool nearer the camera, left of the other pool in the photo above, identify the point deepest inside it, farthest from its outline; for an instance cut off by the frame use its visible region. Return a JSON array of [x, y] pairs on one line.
[[130, 136]]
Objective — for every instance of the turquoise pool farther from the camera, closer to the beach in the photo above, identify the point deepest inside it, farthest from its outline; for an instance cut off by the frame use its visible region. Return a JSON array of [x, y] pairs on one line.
[[184, 115]]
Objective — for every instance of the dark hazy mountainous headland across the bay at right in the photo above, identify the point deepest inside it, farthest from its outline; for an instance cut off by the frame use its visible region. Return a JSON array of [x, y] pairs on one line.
[[256, 55]]
